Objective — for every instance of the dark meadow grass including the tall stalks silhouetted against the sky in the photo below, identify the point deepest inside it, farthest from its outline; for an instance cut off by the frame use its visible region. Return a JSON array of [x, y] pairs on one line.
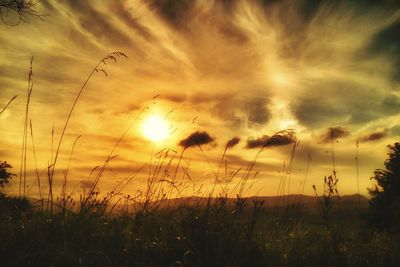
[[159, 227]]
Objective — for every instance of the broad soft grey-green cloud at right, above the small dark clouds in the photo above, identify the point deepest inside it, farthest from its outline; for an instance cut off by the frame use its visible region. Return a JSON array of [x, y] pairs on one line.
[[361, 104]]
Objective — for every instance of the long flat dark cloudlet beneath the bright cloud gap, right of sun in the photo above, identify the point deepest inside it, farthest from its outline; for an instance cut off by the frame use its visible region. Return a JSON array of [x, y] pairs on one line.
[[279, 139]]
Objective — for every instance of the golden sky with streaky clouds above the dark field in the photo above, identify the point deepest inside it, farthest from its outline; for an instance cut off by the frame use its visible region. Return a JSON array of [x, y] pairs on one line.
[[226, 77]]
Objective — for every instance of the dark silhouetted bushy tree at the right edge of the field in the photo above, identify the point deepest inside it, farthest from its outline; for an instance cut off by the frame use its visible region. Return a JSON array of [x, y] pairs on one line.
[[385, 201]]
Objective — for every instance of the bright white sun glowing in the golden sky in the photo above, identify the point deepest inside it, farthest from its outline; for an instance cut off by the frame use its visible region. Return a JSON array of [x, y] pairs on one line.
[[155, 128]]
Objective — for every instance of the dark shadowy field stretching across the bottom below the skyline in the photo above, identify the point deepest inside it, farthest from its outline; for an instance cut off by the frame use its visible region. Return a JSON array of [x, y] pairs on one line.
[[200, 232]]
